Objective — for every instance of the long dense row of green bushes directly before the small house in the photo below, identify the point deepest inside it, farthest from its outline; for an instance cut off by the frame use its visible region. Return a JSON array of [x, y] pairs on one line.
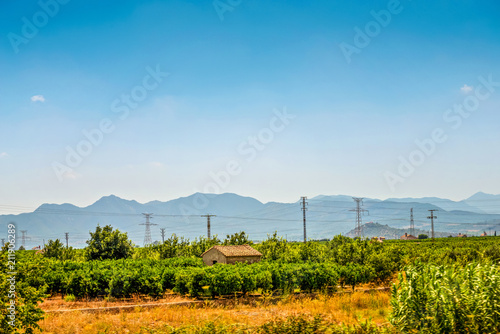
[[122, 278]]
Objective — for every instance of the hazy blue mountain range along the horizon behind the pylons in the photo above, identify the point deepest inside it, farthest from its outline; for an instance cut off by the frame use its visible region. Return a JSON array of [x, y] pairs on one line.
[[326, 217]]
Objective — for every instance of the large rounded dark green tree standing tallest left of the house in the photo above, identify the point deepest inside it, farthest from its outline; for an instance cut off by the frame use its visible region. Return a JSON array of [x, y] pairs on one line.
[[105, 244]]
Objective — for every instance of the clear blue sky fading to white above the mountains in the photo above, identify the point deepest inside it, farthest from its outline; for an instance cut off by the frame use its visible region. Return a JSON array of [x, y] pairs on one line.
[[154, 100]]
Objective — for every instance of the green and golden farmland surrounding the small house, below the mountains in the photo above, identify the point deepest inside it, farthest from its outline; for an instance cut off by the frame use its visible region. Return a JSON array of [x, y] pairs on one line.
[[444, 286]]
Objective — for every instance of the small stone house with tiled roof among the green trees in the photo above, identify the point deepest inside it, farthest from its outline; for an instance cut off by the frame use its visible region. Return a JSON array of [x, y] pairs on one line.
[[231, 255]]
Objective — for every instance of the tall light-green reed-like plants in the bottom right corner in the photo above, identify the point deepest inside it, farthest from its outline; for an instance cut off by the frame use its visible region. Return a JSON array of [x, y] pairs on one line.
[[447, 299]]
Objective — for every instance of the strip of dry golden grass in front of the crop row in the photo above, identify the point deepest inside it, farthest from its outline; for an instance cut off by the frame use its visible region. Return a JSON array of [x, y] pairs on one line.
[[343, 308]]
